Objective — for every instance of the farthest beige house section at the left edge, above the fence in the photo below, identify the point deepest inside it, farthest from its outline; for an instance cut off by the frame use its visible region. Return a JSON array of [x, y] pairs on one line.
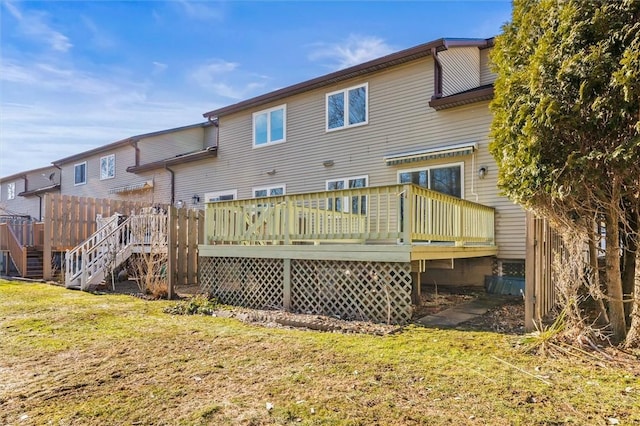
[[21, 194]]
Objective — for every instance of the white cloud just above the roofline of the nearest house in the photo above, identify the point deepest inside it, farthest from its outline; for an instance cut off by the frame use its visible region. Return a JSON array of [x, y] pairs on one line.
[[355, 50]]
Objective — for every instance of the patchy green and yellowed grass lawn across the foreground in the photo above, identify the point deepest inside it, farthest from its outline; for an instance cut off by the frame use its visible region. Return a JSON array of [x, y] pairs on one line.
[[68, 357]]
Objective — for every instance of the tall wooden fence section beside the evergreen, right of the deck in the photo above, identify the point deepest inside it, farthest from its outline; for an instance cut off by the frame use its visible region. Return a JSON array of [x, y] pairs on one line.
[[543, 245]]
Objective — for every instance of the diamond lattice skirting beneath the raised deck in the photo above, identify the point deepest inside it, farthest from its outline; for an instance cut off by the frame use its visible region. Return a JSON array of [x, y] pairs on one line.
[[373, 291]]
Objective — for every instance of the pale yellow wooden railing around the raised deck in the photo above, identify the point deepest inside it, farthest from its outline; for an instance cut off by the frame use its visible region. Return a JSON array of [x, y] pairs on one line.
[[398, 213]]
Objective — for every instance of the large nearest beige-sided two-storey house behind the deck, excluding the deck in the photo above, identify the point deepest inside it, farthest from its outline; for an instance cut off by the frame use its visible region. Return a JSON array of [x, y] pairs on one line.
[[416, 116]]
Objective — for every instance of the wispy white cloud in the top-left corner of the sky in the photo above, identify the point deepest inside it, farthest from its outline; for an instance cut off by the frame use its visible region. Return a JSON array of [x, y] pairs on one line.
[[34, 26]]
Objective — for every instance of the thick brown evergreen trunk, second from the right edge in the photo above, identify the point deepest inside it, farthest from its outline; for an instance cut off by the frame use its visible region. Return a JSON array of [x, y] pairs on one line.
[[614, 279]]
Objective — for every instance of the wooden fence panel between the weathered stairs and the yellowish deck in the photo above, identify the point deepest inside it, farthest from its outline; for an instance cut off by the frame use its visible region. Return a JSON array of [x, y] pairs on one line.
[[186, 231]]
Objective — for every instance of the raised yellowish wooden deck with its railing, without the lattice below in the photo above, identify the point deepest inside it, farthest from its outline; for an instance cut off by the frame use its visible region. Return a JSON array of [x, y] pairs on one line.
[[394, 223]]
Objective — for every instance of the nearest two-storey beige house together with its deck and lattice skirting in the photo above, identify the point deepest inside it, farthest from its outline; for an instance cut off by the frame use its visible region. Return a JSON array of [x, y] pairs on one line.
[[341, 194]]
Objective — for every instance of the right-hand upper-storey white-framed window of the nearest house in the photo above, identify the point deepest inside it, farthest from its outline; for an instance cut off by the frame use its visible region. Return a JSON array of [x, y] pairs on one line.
[[348, 107]]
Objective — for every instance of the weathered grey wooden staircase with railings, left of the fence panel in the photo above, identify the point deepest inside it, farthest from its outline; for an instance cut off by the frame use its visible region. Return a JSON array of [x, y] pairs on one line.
[[111, 245]]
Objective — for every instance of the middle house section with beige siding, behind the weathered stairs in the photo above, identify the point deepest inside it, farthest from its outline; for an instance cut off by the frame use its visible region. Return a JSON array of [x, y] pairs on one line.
[[137, 168]]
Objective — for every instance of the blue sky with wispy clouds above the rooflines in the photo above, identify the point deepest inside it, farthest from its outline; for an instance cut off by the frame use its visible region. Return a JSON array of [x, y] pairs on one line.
[[75, 75]]
